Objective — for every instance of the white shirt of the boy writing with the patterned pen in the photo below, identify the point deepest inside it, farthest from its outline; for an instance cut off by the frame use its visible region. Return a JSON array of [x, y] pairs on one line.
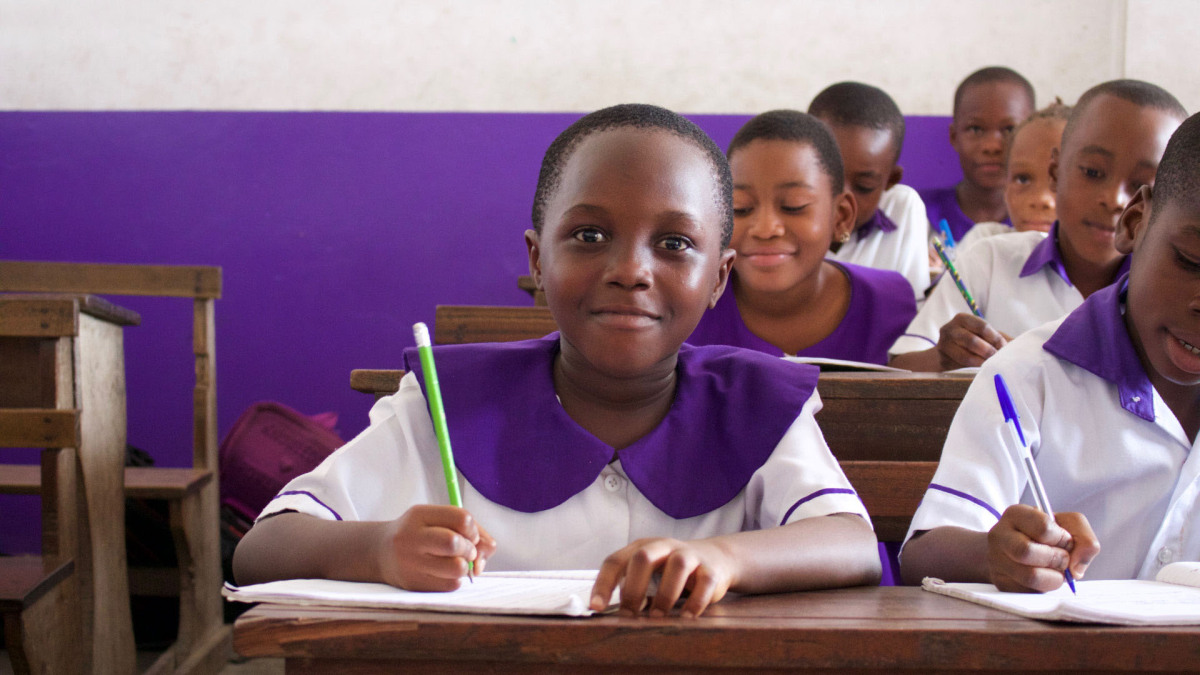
[[1019, 282]]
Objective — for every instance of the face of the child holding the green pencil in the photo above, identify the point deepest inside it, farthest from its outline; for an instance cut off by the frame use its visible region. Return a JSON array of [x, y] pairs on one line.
[[631, 252]]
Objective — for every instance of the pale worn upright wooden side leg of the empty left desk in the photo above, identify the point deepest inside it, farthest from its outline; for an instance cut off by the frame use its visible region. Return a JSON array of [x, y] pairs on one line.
[[100, 392]]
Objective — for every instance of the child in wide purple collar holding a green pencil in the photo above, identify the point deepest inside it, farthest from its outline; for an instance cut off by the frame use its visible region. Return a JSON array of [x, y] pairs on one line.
[[608, 445]]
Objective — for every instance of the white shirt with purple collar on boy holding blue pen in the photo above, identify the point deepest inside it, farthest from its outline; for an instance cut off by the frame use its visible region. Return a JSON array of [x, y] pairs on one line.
[[1106, 445]]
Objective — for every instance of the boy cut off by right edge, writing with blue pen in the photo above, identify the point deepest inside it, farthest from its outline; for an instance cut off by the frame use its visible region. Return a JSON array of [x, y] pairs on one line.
[[1109, 403]]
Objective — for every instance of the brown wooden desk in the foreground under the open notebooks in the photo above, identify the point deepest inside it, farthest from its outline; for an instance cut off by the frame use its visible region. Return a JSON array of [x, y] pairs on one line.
[[892, 630]]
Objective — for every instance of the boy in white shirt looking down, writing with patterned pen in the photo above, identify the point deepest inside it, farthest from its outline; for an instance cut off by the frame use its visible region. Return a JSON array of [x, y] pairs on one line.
[[1111, 148]]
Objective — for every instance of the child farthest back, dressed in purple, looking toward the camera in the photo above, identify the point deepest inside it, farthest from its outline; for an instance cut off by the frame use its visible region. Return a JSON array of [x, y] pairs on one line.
[[988, 105]]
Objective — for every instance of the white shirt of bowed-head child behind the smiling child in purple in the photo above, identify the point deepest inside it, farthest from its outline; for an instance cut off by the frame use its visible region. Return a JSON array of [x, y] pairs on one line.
[[904, 248]]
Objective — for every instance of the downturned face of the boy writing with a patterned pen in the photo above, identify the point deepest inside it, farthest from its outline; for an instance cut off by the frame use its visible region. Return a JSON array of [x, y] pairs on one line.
[[1113, 150]]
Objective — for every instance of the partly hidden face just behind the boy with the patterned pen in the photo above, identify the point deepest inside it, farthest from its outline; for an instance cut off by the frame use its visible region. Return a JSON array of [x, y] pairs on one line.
[[1030, 193]]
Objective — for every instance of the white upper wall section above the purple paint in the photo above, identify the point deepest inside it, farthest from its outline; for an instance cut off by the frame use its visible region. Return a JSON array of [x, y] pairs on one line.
[[692, 56]]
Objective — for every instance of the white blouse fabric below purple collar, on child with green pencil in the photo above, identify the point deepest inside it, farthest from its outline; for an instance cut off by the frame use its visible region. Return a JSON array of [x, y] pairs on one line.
[[395, 464]]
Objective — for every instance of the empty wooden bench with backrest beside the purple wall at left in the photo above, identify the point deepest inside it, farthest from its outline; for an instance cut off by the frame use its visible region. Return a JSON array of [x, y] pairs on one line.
[[193, 494]]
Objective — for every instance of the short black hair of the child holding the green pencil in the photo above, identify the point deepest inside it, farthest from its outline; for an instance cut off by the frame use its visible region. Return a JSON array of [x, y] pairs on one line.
[[634, 116]]
